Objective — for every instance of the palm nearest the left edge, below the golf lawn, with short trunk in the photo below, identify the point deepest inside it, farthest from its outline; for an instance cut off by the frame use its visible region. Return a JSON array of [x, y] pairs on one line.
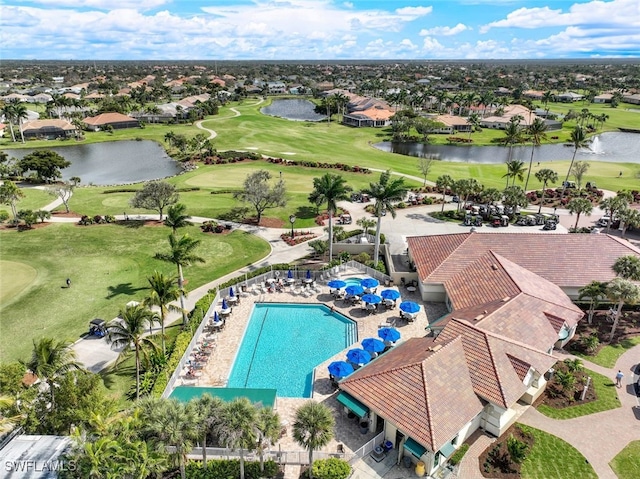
[[51, 359]]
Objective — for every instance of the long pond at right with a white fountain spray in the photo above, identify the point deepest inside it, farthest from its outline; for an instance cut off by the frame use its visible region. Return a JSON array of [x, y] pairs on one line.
[[612, 146]]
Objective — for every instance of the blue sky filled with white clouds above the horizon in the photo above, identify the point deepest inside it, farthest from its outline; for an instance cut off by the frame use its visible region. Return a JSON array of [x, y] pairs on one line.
[[318, 29]]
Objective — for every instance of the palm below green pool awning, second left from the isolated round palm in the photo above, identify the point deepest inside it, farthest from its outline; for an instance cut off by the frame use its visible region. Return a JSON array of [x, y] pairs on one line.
[[237, 428]]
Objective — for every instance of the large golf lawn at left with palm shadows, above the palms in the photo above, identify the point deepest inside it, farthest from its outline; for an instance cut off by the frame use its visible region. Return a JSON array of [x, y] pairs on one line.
[[108, 266]]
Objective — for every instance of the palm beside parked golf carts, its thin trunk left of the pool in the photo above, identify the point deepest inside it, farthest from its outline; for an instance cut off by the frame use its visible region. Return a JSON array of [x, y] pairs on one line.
[[127, 331]]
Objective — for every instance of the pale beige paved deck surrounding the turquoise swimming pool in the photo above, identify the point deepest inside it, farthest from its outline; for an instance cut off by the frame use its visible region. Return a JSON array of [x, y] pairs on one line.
[[347, 433]]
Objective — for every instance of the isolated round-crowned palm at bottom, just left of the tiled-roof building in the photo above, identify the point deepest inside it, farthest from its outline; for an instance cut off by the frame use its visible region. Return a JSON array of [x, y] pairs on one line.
[[313, 428]]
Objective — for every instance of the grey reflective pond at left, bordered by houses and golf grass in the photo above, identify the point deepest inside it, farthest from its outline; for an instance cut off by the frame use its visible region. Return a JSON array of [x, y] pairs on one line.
[[113, 163]]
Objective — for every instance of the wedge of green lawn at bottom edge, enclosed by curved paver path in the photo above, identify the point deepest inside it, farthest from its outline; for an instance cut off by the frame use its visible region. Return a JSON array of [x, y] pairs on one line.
[[553, 458]]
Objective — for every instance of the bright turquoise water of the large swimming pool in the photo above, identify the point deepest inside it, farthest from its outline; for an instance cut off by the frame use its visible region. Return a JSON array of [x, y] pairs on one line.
[[284, 342]]
